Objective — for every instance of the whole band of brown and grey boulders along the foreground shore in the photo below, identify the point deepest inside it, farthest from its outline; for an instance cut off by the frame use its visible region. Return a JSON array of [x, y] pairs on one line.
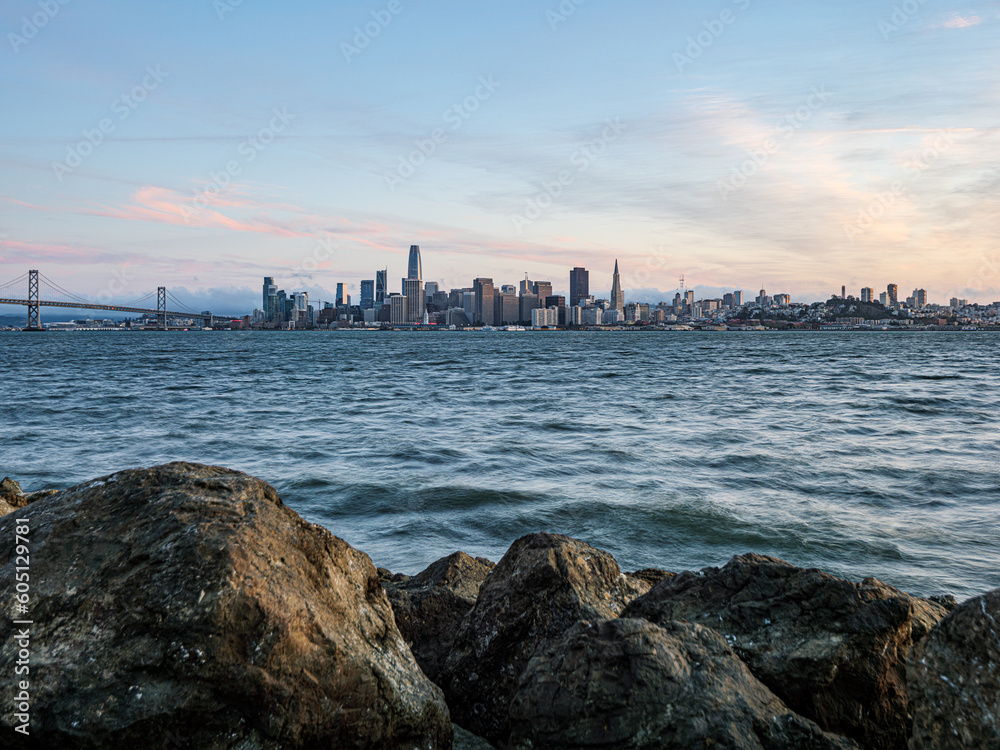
[[187, 606]]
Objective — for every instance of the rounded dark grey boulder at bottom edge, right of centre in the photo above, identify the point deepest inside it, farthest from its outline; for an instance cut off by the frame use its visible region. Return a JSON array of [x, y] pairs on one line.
[[630, 684]]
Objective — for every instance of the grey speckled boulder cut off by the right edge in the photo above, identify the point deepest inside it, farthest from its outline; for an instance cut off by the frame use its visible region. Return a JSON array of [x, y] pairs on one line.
[[954, 679]]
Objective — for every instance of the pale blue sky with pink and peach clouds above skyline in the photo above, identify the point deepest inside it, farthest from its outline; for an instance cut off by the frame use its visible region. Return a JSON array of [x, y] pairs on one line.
[[205, 144]]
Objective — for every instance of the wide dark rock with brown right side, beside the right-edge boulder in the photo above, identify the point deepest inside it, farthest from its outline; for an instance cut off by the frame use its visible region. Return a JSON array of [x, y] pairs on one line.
[[833, 650]]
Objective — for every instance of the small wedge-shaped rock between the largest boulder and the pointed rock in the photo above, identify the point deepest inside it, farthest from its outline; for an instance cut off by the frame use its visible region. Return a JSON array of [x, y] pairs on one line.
[[430, 606]]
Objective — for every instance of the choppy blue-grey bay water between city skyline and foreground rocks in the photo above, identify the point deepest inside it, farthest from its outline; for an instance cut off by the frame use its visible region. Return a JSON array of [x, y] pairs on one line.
[[859, 453]]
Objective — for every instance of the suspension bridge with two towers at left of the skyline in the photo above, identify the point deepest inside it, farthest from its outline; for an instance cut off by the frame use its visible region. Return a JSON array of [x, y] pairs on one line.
[[38, 283]]
